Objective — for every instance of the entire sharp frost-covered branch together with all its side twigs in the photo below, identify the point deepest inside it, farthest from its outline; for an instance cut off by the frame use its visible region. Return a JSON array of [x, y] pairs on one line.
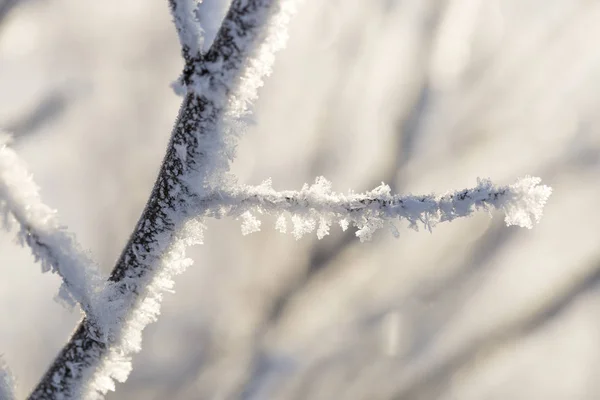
[[219, 84]]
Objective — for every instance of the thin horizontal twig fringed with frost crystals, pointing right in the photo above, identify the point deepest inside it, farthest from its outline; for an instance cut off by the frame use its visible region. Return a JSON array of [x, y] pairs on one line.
[[318, 207]]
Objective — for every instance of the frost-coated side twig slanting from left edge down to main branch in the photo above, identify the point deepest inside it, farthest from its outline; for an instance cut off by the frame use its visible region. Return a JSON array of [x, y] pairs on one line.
[[51, 244]]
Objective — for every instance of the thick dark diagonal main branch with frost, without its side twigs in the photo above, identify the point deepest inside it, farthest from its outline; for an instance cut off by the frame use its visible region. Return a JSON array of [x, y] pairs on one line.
[[219, 90]]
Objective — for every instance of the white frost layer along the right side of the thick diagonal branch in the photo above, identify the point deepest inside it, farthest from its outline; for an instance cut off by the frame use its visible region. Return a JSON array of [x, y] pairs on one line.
[[122, 322]]
